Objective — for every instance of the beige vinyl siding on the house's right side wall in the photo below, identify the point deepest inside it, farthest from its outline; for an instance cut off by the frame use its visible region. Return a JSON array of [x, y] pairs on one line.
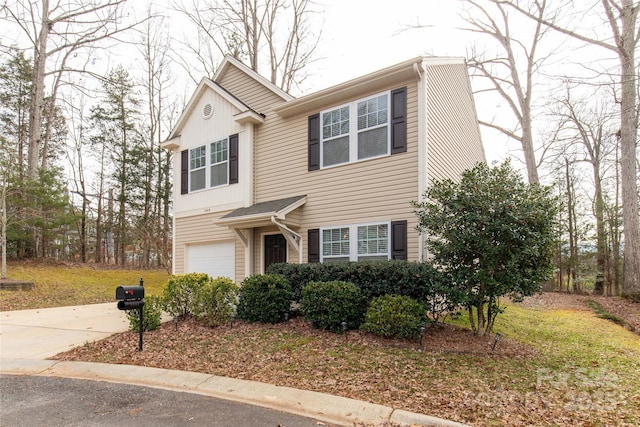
[[453, 136]]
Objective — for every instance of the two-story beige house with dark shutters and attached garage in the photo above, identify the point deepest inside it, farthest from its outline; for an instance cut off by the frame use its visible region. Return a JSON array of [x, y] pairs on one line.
[[261, 177]]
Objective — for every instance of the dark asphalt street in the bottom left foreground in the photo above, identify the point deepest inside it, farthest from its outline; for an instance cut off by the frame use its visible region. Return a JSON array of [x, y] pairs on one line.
[[32, 401]]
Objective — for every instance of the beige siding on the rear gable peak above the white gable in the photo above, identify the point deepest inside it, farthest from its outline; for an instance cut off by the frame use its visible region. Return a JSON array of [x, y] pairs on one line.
[[248, 90]]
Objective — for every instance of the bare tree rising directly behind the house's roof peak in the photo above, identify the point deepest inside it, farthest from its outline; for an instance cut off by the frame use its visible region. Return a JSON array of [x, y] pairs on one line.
[[273, 33]]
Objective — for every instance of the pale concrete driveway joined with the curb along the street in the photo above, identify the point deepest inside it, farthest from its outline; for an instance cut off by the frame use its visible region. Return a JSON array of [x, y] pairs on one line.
[[28, 337]]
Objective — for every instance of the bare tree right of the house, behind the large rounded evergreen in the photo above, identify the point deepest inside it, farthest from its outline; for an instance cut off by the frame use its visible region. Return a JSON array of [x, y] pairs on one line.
[[511, 72]]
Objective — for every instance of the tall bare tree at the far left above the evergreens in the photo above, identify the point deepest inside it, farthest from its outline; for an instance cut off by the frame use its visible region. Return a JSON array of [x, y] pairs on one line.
[[56, 31]]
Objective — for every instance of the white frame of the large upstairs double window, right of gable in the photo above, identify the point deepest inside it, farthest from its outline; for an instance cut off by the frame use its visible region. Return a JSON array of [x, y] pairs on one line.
[[354, 131]]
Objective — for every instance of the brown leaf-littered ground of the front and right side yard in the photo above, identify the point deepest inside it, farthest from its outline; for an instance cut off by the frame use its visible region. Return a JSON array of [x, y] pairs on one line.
[[450, 374]]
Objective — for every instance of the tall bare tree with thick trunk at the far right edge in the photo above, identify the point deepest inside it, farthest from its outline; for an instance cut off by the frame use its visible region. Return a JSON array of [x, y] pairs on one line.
[[621, 17]]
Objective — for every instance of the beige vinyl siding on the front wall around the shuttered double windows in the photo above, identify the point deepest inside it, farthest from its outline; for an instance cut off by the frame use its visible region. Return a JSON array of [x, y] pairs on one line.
[[374, 190]]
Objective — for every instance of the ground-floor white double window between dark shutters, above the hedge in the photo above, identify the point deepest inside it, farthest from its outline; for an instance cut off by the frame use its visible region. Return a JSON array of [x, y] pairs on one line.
[[358, 242]]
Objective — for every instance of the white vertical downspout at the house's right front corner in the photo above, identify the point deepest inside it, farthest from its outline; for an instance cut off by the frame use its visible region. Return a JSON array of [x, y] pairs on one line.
[[422, 146]]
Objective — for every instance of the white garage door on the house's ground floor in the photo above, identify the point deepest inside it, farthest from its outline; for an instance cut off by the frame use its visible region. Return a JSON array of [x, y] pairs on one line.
[[215, 259]]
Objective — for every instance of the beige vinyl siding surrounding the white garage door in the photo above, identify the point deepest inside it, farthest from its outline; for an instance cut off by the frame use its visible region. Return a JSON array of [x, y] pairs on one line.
[[200, 229]]
